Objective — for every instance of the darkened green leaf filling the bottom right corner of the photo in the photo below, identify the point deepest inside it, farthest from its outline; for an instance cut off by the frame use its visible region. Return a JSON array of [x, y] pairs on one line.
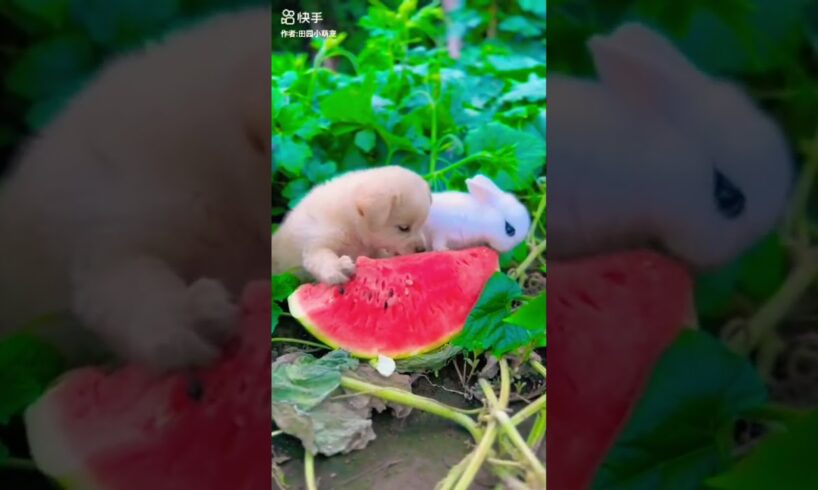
[[781, 461]]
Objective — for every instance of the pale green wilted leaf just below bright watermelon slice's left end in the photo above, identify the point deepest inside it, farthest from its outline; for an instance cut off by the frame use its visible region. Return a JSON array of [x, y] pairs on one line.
[[307, 381]]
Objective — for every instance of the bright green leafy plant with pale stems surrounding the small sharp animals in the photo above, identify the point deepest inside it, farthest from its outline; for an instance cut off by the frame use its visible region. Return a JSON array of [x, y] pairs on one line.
[[387, 91]]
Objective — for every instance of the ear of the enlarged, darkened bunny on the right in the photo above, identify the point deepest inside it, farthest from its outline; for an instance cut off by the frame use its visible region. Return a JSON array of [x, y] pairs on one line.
[[643, 67]]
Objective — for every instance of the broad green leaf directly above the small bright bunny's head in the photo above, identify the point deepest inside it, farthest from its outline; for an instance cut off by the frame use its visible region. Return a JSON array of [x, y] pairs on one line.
[[521, 155]]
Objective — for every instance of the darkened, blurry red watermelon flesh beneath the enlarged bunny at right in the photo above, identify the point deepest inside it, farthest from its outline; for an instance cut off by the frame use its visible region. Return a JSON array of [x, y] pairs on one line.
[[609, 320]]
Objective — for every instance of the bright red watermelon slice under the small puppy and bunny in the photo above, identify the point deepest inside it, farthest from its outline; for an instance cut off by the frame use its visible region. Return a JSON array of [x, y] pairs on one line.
[[397, 307]]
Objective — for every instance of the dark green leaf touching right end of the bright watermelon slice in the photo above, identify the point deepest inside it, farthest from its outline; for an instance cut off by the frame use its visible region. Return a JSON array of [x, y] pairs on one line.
[[485, 329]]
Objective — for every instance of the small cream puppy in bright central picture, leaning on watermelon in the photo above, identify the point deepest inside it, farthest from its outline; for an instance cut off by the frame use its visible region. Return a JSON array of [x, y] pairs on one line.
[[374, 213]]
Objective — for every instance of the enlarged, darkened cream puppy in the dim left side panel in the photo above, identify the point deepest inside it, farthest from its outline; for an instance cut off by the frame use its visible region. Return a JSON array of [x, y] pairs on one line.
[[143, 207]]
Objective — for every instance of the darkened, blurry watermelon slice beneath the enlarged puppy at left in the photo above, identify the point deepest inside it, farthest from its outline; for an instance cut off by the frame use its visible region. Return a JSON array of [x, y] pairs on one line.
[[129, 430]]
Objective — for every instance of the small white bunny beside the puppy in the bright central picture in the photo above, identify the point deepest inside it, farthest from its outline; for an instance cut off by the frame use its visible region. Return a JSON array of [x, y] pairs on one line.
[[484, 216]]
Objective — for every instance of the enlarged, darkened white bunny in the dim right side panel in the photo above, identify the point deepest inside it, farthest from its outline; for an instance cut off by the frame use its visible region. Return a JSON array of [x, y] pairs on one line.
[[657, 152]]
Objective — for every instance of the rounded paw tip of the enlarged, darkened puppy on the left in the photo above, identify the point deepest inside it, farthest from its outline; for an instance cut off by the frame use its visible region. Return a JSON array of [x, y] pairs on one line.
[[213, 314]]
